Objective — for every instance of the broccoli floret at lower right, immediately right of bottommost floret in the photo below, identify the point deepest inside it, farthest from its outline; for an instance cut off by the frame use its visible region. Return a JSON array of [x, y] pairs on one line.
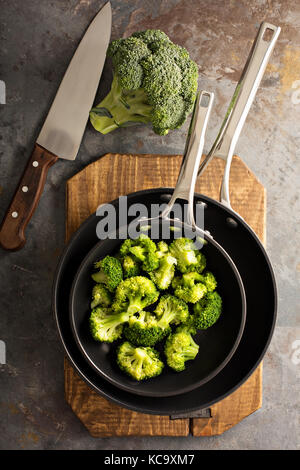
[[180, 347]]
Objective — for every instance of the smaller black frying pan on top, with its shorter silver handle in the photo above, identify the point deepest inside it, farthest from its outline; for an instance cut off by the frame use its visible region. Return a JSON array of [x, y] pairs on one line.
[[216, 344]]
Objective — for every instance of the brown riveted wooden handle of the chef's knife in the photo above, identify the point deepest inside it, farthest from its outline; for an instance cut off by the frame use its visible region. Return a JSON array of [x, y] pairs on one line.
[[25, 199]]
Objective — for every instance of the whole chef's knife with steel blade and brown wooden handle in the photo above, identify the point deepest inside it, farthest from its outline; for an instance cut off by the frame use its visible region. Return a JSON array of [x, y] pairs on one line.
[[62, 132]]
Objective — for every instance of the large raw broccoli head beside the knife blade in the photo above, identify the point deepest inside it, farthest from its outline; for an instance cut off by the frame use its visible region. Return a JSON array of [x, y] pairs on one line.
[[155, 81]]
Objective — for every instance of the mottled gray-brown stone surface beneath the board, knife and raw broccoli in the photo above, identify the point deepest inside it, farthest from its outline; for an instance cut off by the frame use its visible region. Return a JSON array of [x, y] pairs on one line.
[[37, 40]]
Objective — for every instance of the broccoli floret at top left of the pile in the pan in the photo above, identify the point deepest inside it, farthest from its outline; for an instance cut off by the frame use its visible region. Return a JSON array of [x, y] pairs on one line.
[[143, 250]]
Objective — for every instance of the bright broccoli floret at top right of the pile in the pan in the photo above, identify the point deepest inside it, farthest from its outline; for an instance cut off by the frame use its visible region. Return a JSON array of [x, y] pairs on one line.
[[188, 257]]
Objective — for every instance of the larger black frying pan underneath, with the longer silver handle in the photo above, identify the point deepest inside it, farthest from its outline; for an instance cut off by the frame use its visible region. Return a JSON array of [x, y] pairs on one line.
[[239, 242]]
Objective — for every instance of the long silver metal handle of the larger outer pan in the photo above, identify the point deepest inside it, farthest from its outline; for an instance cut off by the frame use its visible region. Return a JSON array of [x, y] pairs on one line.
[[241, 102]]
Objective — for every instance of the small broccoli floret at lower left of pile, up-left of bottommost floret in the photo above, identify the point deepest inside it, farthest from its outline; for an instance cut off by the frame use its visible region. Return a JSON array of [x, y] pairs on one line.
[[106, 325]]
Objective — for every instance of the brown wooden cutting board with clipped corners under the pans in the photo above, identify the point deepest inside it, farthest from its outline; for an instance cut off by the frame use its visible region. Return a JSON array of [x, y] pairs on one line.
[[104, 180]]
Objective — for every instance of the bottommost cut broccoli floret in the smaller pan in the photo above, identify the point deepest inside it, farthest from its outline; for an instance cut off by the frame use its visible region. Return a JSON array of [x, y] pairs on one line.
[[140, 363]]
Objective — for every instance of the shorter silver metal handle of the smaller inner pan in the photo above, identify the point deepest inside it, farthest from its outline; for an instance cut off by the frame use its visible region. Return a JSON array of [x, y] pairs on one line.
[[185, 186]]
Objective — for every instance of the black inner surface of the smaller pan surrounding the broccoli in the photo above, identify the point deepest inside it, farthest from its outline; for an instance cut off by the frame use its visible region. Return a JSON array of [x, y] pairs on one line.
[[217, 344]]
